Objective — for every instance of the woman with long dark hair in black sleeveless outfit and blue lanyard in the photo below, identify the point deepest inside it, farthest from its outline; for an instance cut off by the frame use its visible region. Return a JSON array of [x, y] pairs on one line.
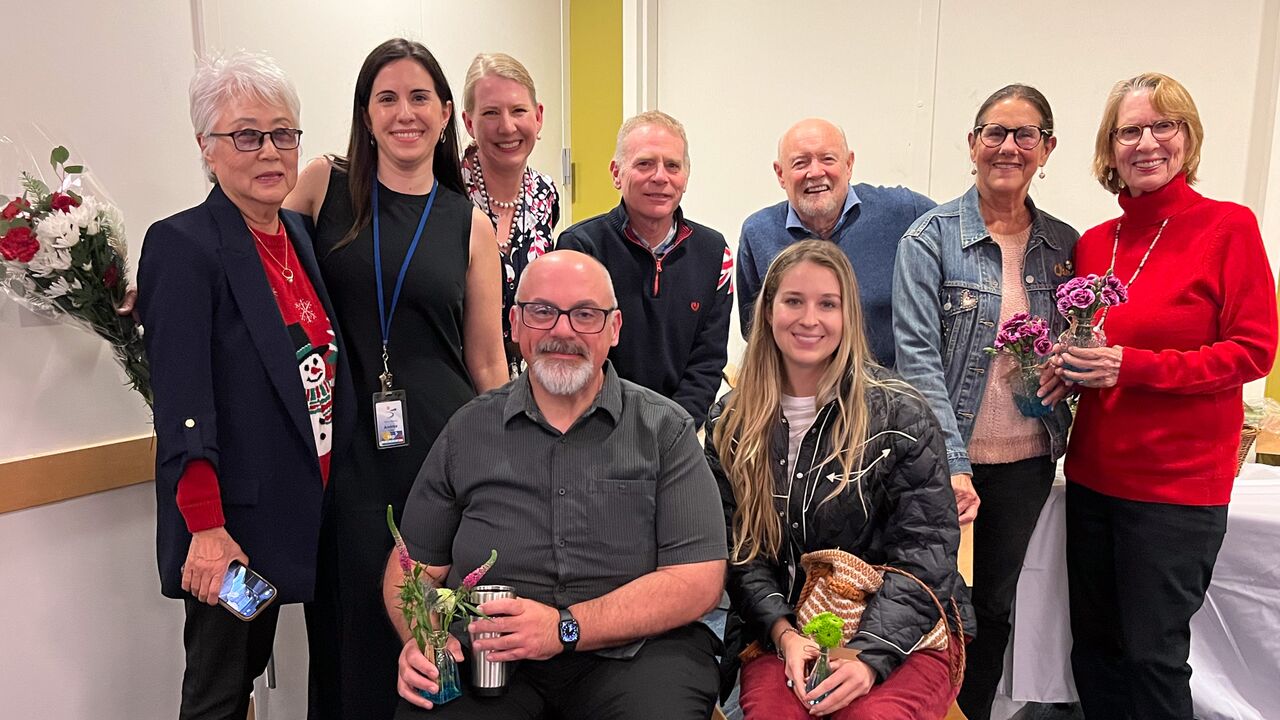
[[414, 272]]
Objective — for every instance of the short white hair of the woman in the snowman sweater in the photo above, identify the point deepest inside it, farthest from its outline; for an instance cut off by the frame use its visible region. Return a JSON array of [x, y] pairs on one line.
[[240, 74]]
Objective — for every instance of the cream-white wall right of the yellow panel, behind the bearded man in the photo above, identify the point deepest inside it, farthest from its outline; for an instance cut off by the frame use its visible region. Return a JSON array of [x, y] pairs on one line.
[[906, 80]]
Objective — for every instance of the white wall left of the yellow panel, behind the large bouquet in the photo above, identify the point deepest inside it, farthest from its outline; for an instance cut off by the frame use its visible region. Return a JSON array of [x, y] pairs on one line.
[[84, 631]]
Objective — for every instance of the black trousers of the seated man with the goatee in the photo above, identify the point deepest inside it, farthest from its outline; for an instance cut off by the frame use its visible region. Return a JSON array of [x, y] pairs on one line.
[[673, 677]]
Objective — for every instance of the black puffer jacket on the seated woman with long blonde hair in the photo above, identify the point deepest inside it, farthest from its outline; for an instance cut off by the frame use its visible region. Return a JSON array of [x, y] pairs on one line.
[[899, 512]]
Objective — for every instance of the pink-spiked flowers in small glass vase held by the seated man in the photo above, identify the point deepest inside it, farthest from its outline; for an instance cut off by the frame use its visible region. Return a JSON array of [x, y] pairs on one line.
[[429, 612]]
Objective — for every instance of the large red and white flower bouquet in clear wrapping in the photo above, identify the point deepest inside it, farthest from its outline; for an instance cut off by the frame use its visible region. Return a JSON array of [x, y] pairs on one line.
[[65, 258]]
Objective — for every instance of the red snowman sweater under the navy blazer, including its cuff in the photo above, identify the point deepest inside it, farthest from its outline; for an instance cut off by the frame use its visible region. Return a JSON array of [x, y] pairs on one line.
[[317, 353]]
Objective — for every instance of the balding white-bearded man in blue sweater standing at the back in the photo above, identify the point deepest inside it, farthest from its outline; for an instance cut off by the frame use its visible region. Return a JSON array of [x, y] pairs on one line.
[[815, 167]]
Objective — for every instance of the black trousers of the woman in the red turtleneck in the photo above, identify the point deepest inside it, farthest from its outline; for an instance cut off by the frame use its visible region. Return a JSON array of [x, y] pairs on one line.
[[1137, 572]]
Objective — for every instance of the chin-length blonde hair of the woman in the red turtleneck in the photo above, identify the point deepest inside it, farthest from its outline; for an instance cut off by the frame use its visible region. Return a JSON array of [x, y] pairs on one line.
[[1171, 99]]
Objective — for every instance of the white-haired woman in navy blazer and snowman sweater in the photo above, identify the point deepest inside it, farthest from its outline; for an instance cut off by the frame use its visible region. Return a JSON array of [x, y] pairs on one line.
[[246, 368]]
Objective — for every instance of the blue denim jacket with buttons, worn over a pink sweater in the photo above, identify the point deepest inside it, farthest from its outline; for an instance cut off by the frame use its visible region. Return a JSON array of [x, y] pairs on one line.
[[947, 311]]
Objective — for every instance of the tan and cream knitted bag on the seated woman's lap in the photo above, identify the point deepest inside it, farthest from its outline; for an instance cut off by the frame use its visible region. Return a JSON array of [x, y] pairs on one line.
[[839, 582]]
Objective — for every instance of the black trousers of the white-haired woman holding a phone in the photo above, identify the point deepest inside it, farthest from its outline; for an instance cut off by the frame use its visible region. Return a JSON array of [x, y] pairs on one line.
[[225, 655]]
